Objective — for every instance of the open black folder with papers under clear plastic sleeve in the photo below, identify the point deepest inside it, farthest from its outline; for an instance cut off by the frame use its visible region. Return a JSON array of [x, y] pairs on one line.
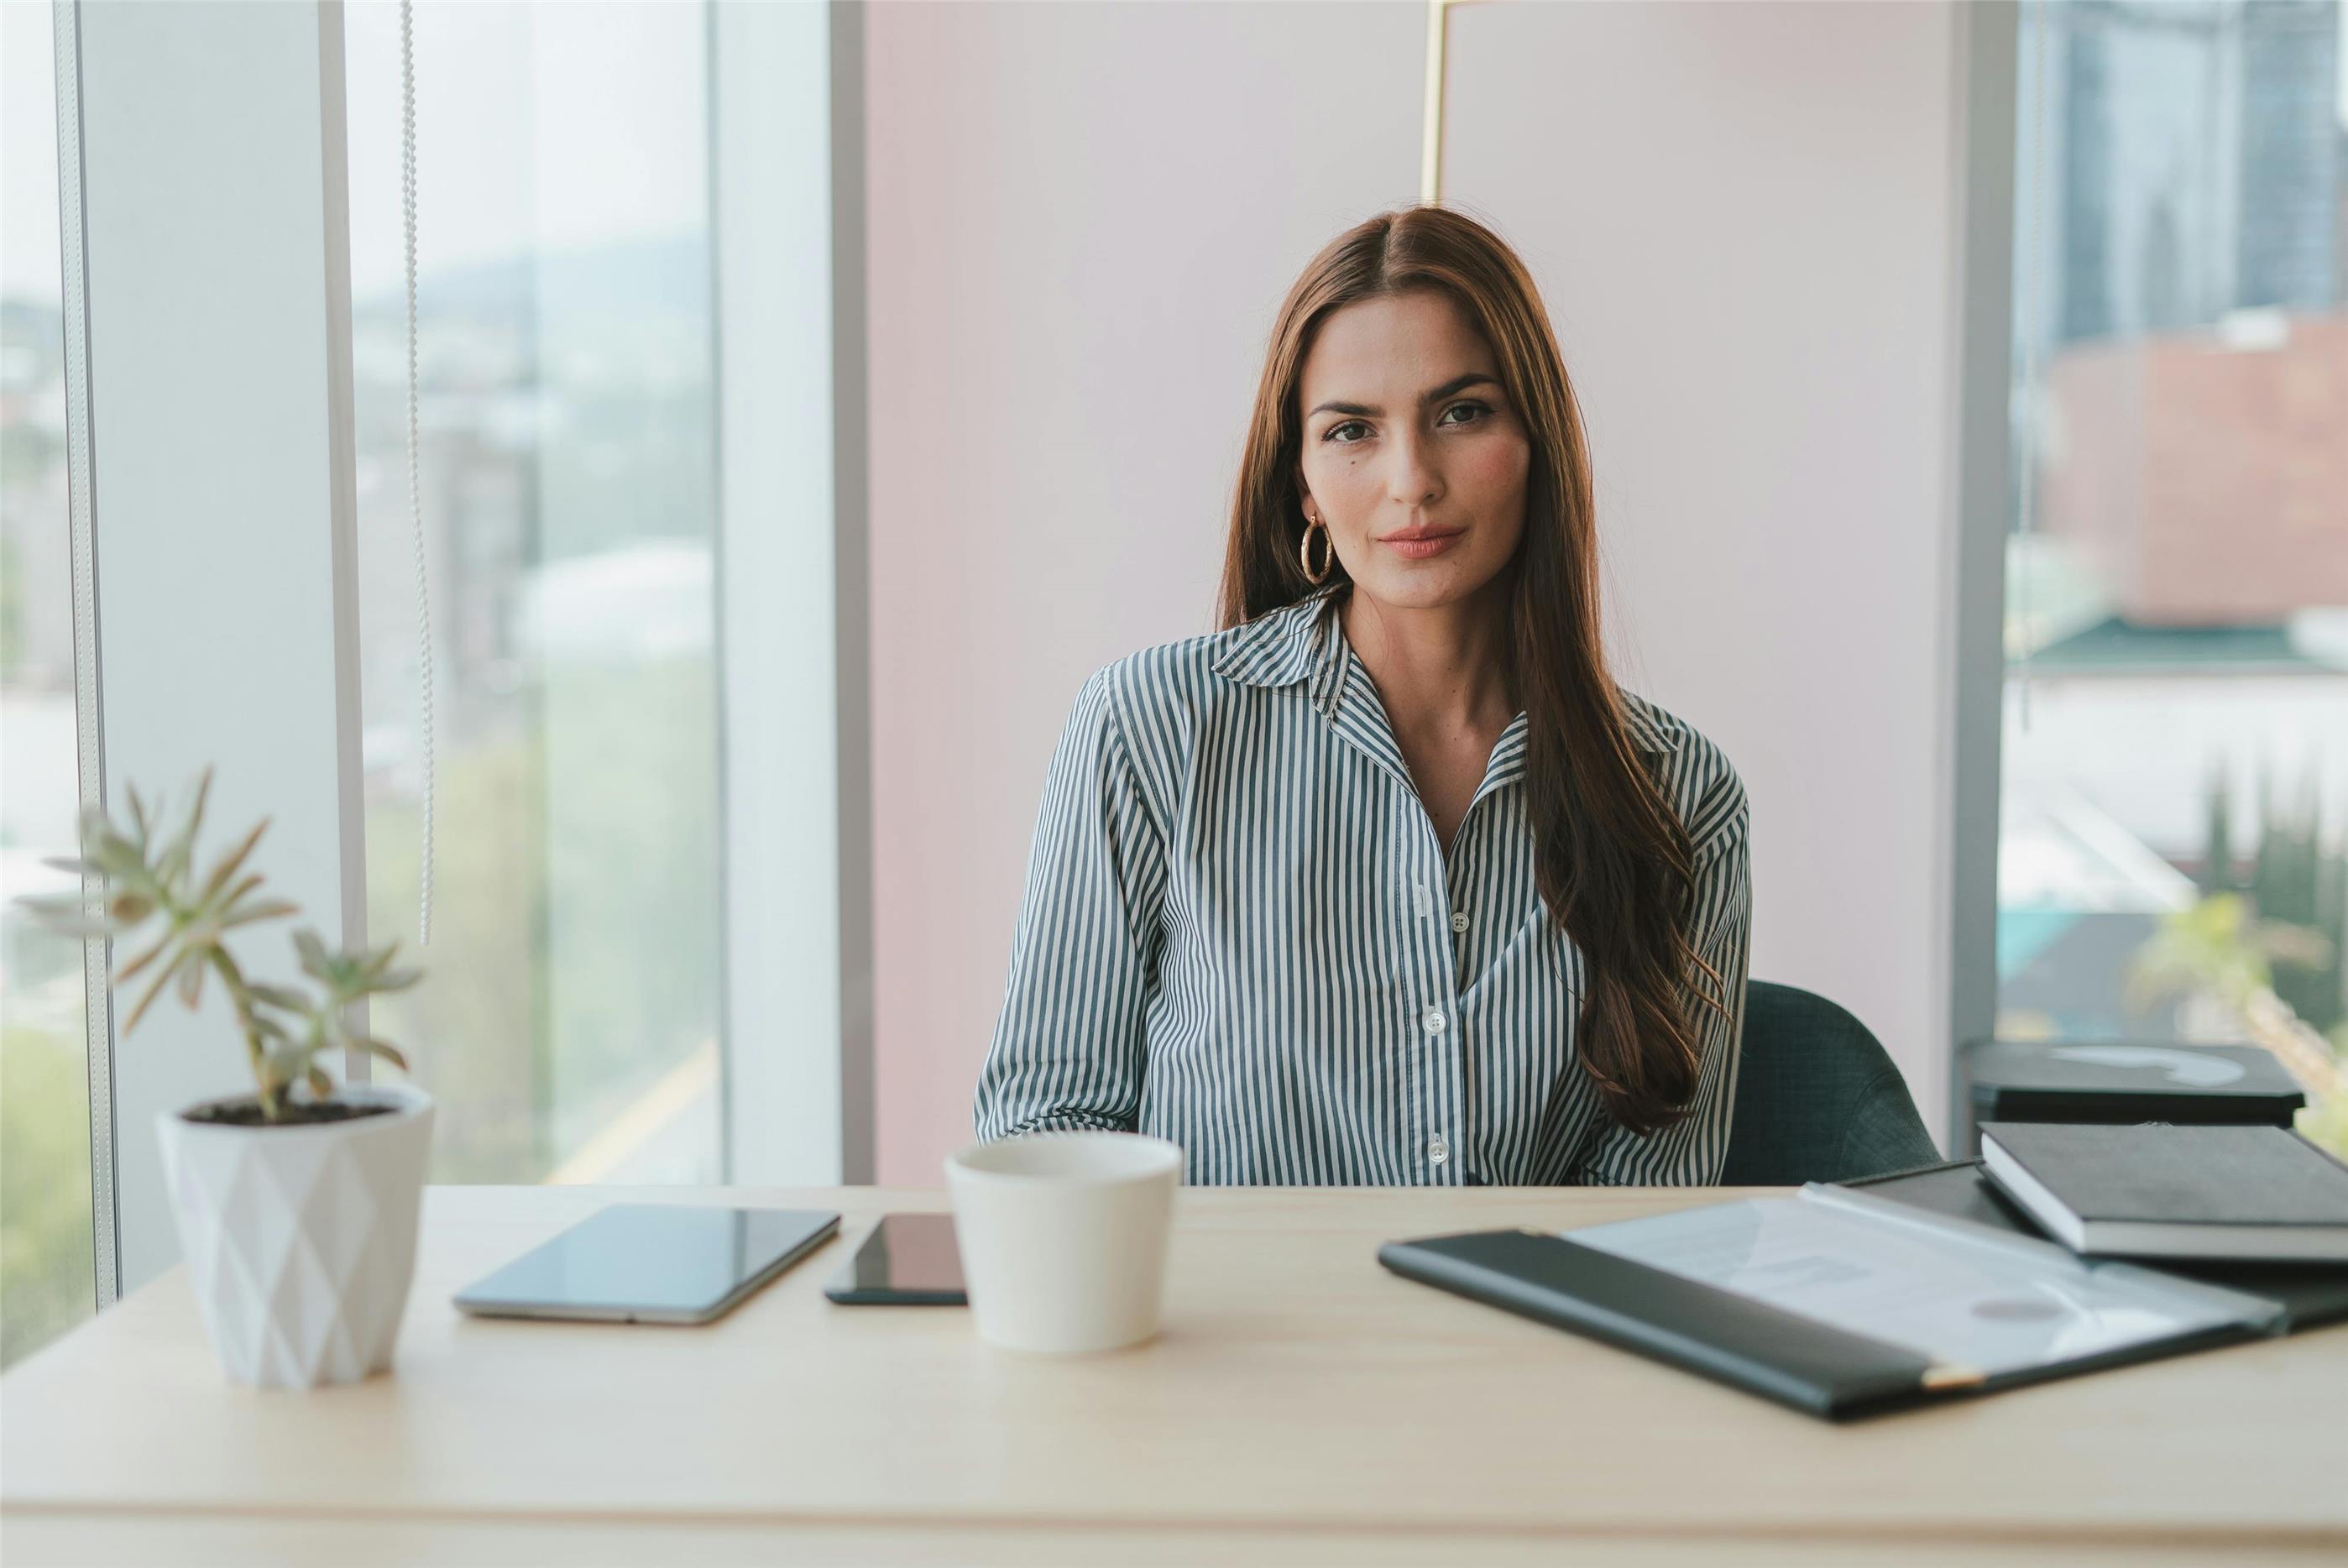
[[1837, 1304]]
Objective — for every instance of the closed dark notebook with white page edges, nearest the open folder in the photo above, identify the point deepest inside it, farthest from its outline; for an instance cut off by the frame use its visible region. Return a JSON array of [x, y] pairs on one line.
[[2159, 1191]]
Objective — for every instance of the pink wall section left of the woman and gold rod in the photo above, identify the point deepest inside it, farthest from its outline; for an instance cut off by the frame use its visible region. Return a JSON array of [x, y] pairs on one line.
[[1081, 219]]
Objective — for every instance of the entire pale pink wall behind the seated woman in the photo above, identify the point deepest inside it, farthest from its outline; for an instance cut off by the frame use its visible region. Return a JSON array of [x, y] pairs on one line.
[[1081, 219]]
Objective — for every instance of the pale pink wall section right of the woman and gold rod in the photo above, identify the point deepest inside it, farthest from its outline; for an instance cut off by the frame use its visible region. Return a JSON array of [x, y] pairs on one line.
[[1743, 219]]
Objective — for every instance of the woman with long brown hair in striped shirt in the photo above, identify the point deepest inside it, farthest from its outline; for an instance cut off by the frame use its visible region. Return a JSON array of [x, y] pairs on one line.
[[1389, 881]]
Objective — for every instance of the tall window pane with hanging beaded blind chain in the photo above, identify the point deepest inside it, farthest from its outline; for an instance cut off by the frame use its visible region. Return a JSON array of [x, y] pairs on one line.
[[567, 473]]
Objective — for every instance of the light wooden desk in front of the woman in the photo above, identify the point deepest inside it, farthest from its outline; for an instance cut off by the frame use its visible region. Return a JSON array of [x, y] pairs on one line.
[[1302, 1405]]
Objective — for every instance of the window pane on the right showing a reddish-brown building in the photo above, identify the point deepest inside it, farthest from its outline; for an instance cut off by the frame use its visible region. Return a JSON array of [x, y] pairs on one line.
[[2175, 820]]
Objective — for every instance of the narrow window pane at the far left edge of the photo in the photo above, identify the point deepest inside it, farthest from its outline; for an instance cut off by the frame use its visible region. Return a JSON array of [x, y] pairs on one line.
[[48, 1276]]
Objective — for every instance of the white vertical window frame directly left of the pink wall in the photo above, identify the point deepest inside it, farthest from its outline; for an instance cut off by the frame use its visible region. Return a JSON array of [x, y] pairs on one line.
[[788, 205]]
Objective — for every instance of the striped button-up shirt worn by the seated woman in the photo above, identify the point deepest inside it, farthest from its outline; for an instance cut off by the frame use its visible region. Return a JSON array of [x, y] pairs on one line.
[[1241, 933]]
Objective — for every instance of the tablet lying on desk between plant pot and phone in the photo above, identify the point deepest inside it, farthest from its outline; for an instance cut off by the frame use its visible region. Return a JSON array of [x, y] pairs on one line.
[[652, 1264]]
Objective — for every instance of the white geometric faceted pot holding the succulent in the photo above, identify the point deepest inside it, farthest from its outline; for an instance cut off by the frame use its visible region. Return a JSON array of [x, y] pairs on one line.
[[302, 1241]]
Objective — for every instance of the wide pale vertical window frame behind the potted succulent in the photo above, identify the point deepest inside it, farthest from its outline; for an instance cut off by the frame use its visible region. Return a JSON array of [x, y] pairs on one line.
[[243, 323]]
